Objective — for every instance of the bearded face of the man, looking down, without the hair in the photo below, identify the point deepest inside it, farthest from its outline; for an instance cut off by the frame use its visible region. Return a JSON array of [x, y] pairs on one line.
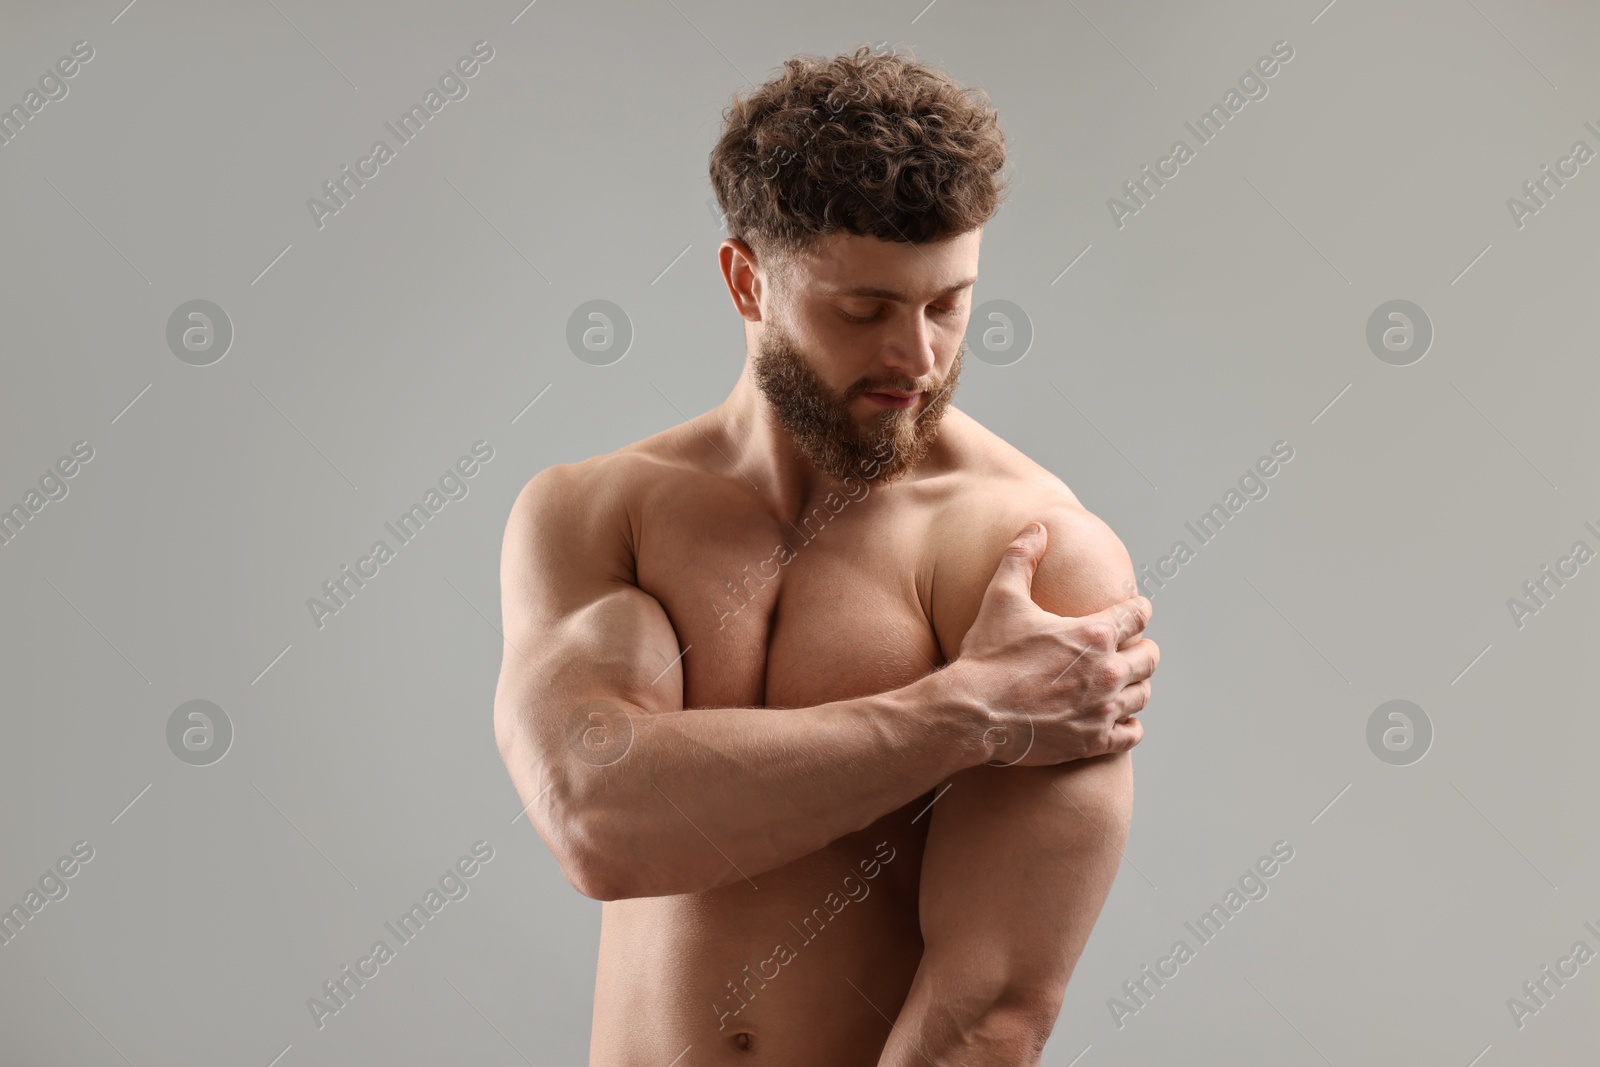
[[857, 318]]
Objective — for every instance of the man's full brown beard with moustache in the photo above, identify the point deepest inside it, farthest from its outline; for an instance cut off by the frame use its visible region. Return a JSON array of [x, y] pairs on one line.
[[823, 426]]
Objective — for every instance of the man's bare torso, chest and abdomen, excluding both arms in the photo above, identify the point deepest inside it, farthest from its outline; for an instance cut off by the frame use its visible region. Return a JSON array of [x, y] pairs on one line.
[[812, 962]]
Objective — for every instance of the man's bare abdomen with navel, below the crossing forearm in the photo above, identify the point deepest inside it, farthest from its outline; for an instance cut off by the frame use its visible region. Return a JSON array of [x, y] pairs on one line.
[[801, 970]]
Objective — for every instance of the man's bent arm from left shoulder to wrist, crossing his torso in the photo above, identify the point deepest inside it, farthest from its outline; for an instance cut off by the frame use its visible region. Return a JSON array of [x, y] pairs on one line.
[[638, 796]]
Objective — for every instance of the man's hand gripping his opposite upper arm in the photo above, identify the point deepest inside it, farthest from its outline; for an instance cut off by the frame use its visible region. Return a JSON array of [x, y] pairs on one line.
[[1054, 689]]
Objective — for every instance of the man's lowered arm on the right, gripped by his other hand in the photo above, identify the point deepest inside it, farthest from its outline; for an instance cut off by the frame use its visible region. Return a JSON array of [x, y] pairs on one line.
[[1018, 860]]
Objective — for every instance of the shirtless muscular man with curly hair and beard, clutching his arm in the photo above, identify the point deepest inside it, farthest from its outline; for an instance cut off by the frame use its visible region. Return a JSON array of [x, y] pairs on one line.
[[844, 753]]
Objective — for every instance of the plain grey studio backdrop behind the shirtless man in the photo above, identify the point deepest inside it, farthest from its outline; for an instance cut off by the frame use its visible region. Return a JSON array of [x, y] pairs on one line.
[[345, 362]]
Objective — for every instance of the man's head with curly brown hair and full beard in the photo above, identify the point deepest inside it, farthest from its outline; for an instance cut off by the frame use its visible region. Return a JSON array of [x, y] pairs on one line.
[[855, 194]]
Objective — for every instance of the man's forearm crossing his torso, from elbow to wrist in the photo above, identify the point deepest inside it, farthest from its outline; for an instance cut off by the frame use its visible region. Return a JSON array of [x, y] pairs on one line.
[[697, 799]]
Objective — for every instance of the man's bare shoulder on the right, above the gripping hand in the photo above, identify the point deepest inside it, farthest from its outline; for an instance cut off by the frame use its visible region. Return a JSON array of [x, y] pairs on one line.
[[990, 495]]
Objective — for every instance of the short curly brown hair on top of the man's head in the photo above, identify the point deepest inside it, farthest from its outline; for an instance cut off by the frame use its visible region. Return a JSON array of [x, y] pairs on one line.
[[873, 145]]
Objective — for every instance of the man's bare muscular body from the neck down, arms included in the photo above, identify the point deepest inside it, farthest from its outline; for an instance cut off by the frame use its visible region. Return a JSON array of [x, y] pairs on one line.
[[761, 737]]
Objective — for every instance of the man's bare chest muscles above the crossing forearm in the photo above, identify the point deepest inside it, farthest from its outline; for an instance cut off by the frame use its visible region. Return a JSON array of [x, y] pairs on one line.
[[793, 615]]
